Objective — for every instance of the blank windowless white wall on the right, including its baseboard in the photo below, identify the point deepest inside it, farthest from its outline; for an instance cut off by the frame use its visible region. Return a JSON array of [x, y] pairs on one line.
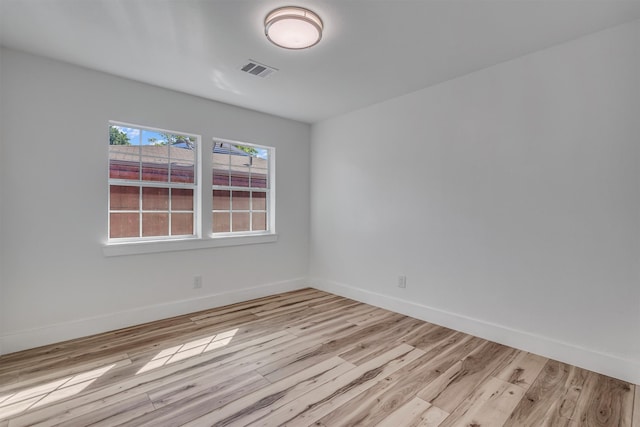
[[509, 197]]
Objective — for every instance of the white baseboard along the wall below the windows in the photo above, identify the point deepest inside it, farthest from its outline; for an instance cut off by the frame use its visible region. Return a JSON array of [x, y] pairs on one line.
[[22, 340]]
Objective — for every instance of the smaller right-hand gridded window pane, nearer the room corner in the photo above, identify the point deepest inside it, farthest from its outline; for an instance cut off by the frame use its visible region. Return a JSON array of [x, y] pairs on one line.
[[241, 188]]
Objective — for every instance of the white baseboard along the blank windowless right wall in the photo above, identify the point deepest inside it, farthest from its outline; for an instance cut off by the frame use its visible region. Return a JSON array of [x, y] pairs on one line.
[[607, 364]]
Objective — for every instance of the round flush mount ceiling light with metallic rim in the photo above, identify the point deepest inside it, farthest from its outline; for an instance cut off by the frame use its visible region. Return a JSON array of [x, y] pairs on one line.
[[293, 27]]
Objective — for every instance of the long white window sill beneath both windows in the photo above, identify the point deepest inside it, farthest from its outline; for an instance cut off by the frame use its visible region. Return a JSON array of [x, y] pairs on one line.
[[135, 248]]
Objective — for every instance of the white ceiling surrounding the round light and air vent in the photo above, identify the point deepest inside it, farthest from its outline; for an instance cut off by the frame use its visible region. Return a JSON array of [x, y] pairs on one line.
[[371, 50]]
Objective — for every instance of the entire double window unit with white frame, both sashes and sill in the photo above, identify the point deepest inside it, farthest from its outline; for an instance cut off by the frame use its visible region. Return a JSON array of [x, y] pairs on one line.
[[162, 199]]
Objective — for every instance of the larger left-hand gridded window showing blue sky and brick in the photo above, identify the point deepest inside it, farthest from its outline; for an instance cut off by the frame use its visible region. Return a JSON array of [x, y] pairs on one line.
[[152, 183]]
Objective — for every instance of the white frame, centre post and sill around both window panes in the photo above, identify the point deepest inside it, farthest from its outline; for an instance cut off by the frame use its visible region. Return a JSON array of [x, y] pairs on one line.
[[203, 224]]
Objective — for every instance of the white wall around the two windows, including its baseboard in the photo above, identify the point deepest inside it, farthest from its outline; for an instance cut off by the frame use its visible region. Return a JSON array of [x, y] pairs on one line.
[[57, 283]]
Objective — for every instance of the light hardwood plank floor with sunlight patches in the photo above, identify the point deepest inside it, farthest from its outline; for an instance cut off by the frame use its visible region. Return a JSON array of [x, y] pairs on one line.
[[299, 359]]
